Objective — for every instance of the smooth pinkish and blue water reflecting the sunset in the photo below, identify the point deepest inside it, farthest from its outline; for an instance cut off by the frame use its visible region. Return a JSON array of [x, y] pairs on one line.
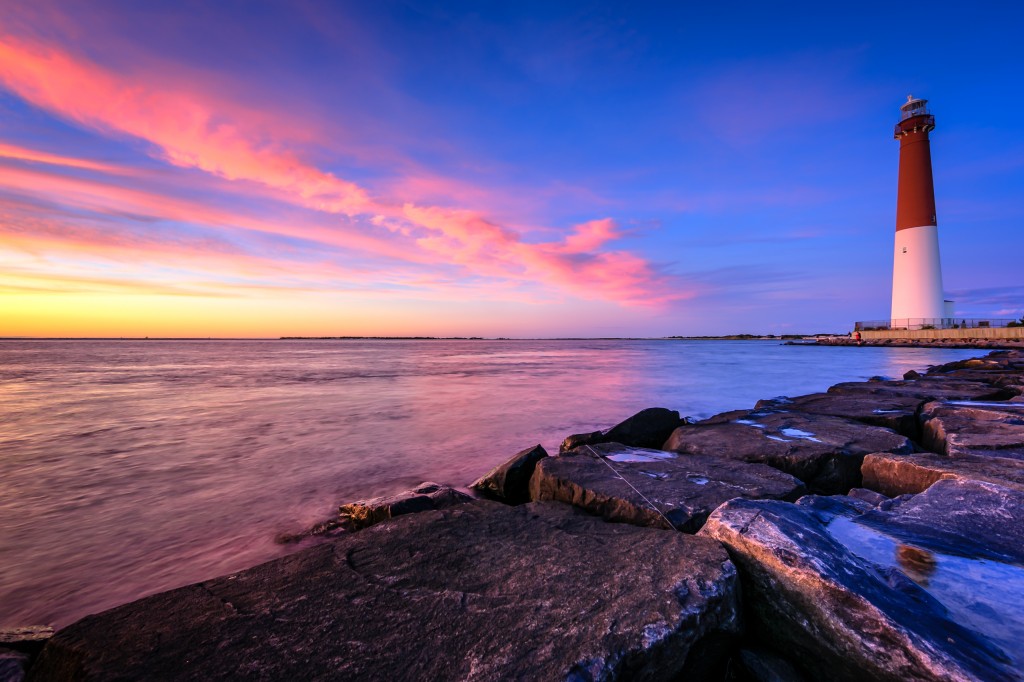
[[132, 467]]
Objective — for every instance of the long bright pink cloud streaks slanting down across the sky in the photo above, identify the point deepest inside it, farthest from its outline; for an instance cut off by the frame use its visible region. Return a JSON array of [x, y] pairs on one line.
[[193, 129]]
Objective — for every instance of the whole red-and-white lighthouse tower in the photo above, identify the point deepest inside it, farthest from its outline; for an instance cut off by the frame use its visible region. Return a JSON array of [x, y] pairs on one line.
[[917, 272]]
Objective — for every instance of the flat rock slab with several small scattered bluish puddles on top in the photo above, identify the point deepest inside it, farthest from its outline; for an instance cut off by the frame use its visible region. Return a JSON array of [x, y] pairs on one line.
[[824, 452]]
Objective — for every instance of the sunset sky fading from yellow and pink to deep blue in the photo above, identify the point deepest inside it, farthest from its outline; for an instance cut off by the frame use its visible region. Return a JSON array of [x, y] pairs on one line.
[[523, 169]]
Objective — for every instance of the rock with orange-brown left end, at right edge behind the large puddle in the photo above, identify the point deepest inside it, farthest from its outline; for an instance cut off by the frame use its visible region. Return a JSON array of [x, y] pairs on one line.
[[900, 475]]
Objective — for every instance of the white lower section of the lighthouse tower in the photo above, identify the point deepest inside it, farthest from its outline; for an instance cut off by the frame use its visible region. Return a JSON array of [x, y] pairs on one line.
[[917, 277]]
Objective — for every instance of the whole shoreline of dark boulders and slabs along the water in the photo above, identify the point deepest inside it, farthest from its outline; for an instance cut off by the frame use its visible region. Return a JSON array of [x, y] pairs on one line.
[[873, 532]]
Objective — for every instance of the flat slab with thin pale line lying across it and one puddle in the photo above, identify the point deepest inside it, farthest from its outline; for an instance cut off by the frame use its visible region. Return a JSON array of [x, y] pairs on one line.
[[647, 487]]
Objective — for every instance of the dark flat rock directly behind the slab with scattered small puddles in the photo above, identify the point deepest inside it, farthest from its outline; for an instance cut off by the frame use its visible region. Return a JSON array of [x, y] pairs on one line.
[[895, 412]]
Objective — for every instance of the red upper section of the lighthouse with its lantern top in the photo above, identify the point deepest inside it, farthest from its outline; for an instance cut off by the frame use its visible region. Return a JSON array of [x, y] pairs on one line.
[[916, 198]]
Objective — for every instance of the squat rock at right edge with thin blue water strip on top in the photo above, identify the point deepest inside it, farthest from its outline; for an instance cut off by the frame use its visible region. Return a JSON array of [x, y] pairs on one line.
[[964, 428]]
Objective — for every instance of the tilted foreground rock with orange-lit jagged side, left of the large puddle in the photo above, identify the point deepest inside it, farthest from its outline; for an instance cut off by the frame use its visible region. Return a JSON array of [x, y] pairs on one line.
[[838, 616]]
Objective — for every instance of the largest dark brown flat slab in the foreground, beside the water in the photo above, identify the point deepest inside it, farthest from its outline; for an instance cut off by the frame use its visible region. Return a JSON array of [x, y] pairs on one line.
[[482, 591]]
